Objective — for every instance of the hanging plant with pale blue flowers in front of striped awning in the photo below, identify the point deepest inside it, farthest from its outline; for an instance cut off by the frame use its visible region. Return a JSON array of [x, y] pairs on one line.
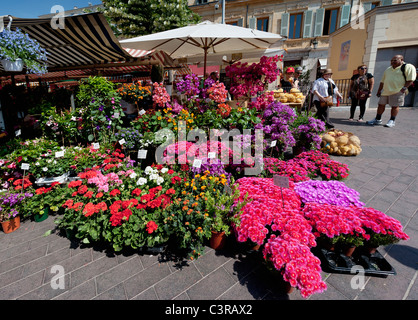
[[18, 49]]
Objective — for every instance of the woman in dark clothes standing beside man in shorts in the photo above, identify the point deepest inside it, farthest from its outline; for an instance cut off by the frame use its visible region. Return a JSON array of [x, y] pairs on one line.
[[361, 87]]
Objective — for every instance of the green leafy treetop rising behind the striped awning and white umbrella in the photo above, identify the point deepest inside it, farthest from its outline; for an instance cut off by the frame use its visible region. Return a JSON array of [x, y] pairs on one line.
[[141, 17]]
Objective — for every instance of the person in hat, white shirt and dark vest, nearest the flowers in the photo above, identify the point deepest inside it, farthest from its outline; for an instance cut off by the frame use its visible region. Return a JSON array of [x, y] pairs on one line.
[[323, 91]]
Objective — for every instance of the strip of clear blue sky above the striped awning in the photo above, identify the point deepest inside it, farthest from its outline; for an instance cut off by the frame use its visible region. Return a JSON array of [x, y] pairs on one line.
[[34, 8]]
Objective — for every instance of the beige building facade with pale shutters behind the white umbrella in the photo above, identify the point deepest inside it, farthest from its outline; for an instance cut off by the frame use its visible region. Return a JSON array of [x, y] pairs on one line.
[[306, 25]]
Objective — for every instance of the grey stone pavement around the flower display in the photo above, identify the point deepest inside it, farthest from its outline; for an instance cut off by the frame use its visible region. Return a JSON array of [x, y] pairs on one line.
[[385, 174]]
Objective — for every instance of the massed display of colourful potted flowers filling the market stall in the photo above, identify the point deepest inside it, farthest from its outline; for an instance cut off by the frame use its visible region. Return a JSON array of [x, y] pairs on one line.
[[190, 167]]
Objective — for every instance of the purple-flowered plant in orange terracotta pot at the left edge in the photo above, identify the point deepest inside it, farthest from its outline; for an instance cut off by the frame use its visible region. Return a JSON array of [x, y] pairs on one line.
[[9, 206]]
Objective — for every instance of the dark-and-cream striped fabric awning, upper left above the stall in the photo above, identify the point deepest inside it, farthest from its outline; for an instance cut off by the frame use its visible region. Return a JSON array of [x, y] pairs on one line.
[[86, 39]]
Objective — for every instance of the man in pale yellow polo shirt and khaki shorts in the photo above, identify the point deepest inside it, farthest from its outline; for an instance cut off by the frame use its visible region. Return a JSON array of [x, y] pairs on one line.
[[394, 84]]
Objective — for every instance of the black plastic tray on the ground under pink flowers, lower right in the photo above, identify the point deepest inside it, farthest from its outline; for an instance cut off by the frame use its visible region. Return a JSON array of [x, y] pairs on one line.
[[371, 264]]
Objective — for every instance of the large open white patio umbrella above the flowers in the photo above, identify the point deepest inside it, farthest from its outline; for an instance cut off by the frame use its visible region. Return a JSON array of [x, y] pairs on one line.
[[203, 38]]
